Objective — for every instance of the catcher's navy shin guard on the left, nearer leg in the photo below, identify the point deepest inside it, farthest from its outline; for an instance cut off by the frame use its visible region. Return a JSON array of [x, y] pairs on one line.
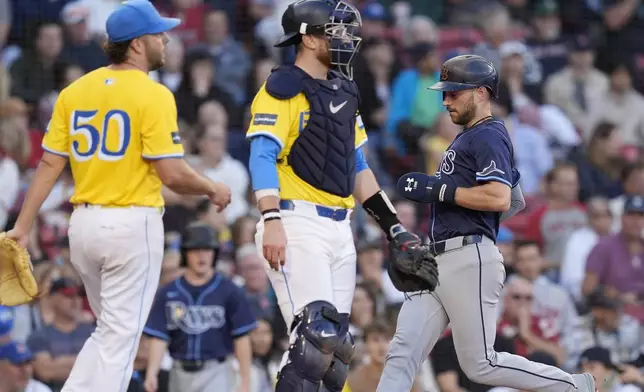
[[313, 350]]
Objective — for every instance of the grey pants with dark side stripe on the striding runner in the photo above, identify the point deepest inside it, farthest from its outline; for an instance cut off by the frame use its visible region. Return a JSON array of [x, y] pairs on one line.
[[471, 281]]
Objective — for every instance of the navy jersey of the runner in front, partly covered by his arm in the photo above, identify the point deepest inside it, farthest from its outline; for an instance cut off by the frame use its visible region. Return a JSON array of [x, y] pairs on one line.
[[477, 155]]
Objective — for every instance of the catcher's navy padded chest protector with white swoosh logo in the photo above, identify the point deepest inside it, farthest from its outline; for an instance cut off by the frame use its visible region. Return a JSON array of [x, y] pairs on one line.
[[323, 155]]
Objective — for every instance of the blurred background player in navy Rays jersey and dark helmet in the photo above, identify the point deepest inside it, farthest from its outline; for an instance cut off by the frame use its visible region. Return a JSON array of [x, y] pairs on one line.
[[202, 319]]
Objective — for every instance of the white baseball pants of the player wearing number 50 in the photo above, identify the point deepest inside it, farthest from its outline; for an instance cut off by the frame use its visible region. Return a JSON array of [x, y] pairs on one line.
[[118, 254]]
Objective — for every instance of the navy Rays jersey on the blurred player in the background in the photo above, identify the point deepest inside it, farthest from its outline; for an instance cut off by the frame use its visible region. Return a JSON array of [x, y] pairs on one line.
[[200, 322]]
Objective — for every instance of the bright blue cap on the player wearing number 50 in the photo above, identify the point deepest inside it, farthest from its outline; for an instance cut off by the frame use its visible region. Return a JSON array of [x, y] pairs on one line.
[[135, 18]]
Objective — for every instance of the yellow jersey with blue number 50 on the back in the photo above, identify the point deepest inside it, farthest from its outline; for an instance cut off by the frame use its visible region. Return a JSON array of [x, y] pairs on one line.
[[112, 124]]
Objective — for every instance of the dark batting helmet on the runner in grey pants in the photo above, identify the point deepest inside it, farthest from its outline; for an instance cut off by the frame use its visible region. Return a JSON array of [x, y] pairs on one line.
[[466, 72]]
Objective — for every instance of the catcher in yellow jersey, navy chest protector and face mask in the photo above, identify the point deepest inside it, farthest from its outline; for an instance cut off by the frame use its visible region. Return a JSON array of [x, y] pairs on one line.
[[307, 164]]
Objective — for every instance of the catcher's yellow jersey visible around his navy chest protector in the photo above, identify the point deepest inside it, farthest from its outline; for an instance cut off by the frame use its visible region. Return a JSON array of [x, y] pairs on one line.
[[287, 119]]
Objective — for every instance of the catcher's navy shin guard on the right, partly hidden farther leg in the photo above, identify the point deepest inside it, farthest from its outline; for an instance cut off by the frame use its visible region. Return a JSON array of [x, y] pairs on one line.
[[337, 373]]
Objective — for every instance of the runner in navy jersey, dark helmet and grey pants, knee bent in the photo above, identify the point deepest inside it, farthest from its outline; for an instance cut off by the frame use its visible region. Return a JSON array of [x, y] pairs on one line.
[[469, 194]]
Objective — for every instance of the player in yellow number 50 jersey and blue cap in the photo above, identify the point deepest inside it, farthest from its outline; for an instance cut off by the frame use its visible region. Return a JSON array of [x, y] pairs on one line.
[[118, 129]]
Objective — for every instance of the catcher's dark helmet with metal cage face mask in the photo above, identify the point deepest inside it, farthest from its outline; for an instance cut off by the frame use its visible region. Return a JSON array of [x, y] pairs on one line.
[[336, 20]]
